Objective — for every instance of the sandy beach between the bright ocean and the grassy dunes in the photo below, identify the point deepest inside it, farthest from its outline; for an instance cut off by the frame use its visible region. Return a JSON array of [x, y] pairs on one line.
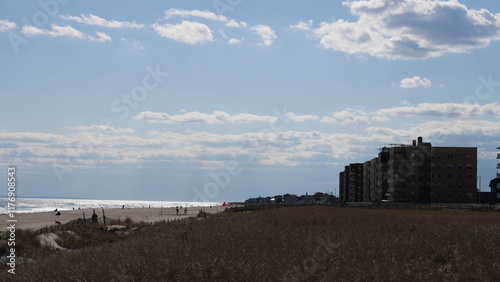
[[39, 220]]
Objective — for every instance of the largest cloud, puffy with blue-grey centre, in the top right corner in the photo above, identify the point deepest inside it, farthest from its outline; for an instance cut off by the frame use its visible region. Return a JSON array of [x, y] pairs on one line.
[[412, 29]]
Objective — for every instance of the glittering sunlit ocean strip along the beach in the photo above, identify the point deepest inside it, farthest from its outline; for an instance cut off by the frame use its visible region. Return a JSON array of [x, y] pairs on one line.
[[30, 205]]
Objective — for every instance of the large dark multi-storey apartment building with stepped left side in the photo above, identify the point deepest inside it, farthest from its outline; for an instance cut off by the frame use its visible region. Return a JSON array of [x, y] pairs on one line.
[[413, 173]]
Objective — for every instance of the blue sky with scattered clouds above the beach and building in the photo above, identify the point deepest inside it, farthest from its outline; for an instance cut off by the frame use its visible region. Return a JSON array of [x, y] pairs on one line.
[[225, 100]]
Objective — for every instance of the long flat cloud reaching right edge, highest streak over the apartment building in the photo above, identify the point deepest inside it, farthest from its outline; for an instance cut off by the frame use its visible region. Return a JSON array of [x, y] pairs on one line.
[[445, 110]]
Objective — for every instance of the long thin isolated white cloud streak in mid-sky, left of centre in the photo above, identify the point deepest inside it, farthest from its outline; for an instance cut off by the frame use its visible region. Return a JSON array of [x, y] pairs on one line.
[[216, 117]]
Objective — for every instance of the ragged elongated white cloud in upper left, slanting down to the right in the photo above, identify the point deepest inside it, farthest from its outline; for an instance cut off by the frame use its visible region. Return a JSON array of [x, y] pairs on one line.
[[65, 31]]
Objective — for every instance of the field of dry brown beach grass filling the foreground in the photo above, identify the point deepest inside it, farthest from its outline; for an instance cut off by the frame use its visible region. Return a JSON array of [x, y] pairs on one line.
[[311, 243]]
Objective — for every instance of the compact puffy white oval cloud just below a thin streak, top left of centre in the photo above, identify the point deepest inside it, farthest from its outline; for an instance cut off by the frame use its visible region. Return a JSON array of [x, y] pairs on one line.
[[186, 32]]
